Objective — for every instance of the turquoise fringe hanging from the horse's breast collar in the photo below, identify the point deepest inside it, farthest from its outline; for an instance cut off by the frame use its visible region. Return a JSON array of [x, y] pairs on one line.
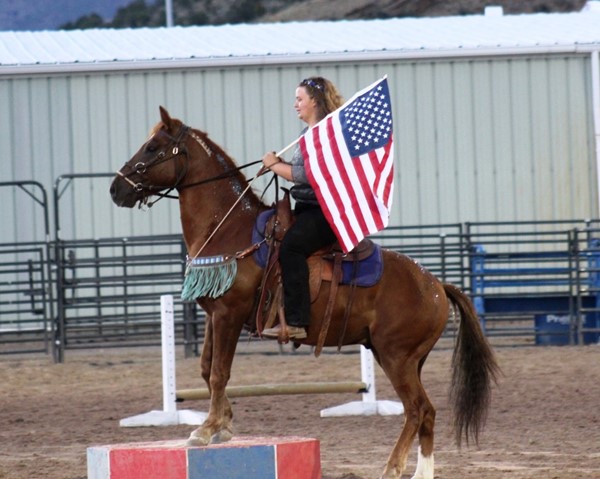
[[208, 281]]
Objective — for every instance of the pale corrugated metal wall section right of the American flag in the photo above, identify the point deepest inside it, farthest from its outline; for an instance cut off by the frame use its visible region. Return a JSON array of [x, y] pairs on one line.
[[495, 140]]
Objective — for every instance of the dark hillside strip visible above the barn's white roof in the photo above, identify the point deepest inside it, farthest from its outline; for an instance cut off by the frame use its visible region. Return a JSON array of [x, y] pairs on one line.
[[35, 14]]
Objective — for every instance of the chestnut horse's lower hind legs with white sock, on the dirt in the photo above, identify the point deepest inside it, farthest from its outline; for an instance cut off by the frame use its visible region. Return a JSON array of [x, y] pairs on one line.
[[419, 417]]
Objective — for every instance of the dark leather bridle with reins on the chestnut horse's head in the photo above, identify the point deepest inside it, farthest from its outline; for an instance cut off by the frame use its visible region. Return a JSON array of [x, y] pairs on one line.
[[175, 148]]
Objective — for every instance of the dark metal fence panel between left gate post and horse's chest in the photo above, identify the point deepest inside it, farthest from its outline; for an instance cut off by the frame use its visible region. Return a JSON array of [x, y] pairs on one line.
[[108, 290]]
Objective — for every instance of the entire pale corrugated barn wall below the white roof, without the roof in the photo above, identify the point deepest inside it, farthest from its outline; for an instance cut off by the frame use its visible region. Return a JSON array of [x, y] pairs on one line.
[[476, 139]]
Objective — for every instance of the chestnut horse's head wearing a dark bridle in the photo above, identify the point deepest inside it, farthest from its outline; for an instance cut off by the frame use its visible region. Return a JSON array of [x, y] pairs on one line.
[[160, 164]]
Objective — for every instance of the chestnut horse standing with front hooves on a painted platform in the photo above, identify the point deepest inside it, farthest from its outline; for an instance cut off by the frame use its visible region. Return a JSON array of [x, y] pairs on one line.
[[399, 319]]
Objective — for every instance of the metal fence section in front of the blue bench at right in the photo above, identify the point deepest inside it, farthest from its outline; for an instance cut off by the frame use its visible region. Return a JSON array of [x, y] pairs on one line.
[[536, 280]]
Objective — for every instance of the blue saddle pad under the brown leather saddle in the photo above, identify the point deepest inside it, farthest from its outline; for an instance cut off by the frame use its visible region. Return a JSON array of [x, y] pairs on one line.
[[368, 271]]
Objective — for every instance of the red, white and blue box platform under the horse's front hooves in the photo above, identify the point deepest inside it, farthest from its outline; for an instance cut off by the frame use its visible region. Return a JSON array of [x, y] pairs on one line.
[[242, 457]]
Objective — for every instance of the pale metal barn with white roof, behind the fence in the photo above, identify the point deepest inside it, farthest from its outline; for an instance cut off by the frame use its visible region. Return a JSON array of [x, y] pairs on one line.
[[497, 117]]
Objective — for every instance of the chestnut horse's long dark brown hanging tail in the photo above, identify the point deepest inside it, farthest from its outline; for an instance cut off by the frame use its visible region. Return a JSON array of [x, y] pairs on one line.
[[473, 370]]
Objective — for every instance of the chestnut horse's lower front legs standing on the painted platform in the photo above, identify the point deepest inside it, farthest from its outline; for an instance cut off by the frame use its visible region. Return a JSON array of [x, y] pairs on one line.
[[218, 351]]
